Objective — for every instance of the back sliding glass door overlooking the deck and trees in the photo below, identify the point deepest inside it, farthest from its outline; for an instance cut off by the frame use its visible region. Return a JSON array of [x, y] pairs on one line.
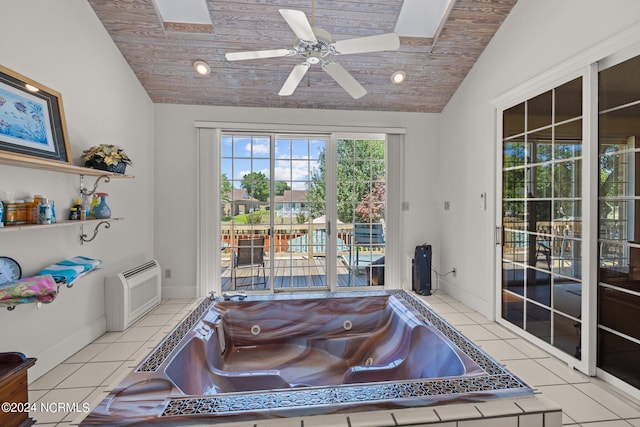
[[299, 208]]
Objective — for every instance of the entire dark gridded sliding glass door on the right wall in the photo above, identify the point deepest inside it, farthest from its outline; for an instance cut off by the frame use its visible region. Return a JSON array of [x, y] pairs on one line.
[[546, 288]]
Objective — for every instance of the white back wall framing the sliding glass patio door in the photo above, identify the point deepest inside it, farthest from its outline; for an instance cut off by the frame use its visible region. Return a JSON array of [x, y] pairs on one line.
[[176, 175]]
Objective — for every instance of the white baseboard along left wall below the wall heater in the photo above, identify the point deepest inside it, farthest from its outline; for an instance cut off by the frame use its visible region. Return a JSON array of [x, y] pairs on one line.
[[58, 353]]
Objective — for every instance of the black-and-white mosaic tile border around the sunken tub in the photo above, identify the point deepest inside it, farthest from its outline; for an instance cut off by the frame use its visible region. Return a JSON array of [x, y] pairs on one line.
[[497, 378]]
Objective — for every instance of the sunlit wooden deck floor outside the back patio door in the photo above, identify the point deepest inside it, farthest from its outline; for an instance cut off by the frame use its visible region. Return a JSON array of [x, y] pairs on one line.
[[292, 272]]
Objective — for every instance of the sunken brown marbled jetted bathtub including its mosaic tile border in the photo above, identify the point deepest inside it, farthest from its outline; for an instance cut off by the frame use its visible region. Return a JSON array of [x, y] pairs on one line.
[[286, 355]]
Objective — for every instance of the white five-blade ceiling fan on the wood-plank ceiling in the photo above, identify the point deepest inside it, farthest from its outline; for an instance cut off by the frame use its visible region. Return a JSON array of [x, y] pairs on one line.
[[316, 45]]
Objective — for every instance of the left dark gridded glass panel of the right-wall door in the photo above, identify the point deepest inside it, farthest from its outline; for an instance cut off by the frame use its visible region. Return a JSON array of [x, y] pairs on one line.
[[541, 216]]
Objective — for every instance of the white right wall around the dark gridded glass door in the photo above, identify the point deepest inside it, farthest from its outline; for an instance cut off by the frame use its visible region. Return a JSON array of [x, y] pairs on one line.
[[536, 37]]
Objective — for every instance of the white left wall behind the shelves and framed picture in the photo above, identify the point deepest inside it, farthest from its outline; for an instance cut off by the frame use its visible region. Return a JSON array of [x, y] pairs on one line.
[[62, 45]]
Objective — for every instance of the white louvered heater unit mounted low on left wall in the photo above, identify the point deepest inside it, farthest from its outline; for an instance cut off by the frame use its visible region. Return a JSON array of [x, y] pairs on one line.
[[131, 294]]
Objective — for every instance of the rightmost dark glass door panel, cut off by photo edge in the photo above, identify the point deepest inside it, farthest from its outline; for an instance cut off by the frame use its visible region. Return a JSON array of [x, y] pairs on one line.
[[619, 226]]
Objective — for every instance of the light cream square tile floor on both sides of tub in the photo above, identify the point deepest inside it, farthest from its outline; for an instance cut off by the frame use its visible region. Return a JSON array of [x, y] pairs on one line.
[[88, 375]]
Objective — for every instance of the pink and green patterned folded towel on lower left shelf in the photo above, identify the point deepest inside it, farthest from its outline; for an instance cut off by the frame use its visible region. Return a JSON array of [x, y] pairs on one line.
[[30, 289]]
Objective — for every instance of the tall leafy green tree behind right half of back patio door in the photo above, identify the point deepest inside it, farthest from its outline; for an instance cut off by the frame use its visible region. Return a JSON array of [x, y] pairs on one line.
[[360, 163]]
